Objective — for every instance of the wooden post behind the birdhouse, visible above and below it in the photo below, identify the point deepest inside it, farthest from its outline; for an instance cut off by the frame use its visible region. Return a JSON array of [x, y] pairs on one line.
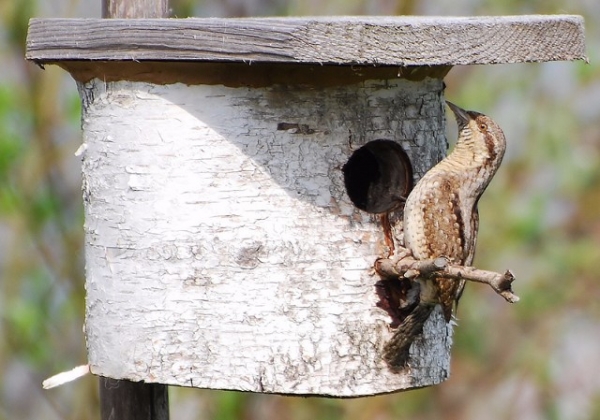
[[122, 399]]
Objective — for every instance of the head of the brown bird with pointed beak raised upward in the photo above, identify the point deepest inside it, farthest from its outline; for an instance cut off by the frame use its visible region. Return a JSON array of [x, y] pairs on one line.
[[479, 134]]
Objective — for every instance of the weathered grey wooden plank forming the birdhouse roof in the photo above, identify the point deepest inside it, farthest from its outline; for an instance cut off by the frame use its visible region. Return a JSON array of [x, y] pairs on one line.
[[398, 41]]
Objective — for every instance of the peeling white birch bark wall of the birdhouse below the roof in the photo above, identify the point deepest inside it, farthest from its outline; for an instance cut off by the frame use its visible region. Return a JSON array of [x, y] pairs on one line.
[[224, 253]]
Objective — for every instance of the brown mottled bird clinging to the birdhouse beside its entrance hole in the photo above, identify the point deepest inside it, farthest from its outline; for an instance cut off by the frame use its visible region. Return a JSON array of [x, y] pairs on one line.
[[441, 218]]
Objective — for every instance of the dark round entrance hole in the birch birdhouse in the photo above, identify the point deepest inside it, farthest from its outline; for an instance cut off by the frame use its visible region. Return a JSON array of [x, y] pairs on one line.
[[378, 176]]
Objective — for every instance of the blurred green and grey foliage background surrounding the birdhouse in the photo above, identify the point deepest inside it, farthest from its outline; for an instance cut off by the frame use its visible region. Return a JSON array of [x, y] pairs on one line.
[[538, 359]]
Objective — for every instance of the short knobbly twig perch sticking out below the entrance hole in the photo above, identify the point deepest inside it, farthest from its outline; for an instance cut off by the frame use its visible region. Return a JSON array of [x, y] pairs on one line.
[[408, 267]]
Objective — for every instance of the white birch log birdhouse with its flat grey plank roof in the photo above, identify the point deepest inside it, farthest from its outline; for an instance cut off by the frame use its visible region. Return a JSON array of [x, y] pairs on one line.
[[226, 173]]
